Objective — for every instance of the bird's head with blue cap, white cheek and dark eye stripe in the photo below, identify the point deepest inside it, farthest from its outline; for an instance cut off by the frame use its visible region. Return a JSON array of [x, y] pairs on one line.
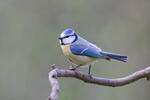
[[68, 36]]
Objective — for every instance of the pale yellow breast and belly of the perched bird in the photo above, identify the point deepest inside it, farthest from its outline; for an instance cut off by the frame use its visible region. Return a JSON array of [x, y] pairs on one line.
[[76, 59]]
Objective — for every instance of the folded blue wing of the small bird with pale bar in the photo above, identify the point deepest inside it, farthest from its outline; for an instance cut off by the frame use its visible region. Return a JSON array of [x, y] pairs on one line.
[[85, 50]]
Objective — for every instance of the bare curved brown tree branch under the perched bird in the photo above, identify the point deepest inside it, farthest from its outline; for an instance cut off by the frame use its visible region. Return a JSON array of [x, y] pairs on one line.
[[56, 72]]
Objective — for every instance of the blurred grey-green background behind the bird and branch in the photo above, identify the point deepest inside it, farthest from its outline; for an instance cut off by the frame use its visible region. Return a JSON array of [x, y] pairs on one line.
[[28, 43]]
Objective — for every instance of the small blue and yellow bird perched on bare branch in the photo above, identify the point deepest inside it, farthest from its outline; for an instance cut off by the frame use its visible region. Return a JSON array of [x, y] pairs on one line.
[[82, 52]]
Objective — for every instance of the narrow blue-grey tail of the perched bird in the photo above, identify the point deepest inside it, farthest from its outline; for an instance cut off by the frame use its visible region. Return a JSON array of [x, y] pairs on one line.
[[109, 55]]
